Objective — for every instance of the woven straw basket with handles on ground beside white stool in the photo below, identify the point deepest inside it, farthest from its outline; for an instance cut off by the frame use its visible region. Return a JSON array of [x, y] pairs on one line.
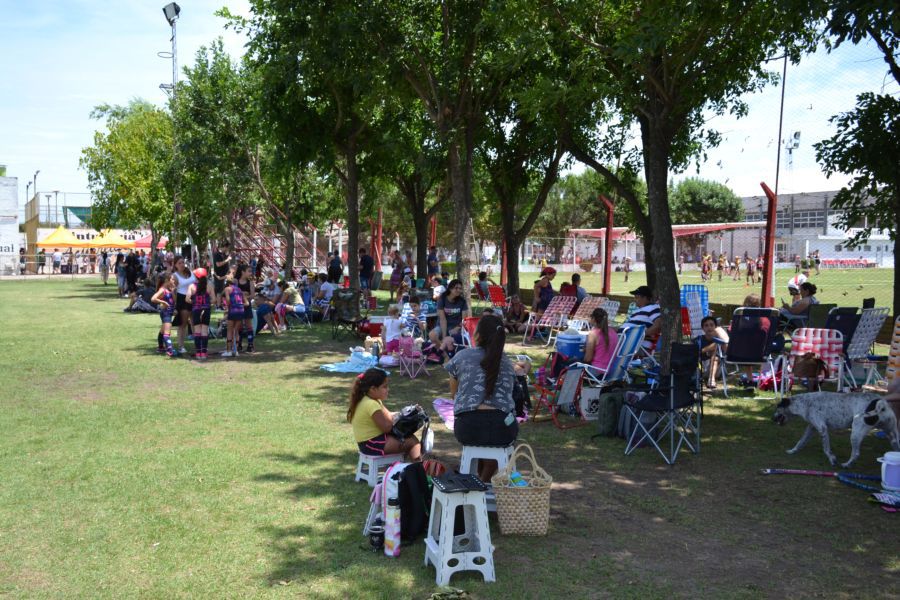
[[523, 510]]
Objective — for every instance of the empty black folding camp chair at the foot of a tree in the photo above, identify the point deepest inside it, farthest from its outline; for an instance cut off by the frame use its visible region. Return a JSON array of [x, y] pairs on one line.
[[677, 406]]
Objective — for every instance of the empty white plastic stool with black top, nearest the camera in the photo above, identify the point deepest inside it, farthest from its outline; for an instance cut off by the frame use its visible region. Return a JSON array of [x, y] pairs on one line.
[[470, 551]]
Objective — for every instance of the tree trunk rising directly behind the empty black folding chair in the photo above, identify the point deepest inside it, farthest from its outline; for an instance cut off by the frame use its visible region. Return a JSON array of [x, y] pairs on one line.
[[656, 146]]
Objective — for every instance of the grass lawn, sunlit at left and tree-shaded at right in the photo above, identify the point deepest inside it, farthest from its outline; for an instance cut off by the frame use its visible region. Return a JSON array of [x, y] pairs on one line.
[[127, 474]]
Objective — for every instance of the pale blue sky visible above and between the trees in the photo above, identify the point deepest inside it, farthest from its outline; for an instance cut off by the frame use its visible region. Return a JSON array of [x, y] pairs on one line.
[[60, 58]]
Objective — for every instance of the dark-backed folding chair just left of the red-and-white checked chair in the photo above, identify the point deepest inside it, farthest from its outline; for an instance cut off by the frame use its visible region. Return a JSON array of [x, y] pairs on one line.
[[751, 342]]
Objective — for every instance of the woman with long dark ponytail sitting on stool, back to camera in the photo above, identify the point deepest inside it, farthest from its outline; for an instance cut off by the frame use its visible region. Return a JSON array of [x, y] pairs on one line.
[[481, 381]]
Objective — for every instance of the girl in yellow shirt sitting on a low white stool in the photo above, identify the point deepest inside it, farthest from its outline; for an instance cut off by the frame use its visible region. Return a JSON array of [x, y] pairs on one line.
[[372, 422]]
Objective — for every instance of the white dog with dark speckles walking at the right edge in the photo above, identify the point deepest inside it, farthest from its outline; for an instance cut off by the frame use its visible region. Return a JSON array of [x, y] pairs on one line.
[[833, 410]]
